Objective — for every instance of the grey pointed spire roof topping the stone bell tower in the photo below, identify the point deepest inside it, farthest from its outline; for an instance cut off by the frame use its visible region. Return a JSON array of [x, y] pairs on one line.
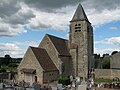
[[79, 14]]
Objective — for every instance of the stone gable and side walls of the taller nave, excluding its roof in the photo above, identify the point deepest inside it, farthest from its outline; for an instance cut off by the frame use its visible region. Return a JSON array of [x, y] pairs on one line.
[[57, 59]]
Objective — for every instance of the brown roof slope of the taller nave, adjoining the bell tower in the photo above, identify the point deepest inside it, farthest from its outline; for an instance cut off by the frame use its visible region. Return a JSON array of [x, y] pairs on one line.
[[60, 44]]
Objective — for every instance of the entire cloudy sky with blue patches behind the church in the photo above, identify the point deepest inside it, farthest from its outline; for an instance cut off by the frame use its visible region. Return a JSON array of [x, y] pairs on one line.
[[24, 23]]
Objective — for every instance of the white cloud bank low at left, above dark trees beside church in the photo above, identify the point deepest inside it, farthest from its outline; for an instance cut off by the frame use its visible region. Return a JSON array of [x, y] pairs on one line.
[[14, 49]]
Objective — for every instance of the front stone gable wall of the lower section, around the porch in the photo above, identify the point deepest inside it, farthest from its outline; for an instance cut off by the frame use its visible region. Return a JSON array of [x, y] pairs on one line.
[[29, 61]]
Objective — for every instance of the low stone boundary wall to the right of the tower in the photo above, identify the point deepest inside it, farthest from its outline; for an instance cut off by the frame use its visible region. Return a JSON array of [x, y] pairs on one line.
[[107, 73]]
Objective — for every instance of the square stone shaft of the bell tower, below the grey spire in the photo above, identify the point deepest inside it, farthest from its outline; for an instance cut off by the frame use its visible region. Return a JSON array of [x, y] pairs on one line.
[[83, 37]]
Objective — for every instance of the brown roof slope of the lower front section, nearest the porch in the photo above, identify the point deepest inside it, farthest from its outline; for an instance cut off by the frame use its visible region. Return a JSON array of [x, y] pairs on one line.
[[44, 59]]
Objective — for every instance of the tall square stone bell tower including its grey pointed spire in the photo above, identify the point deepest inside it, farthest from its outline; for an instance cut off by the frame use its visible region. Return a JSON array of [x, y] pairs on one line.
[[81, 34]]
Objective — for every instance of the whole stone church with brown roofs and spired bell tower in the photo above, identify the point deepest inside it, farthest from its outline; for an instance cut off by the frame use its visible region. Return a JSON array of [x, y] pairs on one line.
[[57, 56]]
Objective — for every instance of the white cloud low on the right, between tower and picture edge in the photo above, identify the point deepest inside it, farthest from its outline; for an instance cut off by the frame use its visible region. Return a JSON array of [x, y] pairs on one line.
[[114, 43]]
